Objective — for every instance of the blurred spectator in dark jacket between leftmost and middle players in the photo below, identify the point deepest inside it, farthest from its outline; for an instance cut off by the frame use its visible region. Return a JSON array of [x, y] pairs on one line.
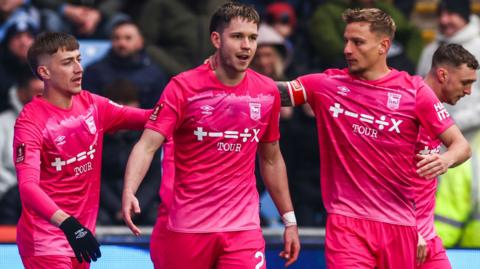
[[127, 59]]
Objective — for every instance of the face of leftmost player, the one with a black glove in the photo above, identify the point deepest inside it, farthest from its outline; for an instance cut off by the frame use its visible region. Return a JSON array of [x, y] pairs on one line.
[[63, 71]]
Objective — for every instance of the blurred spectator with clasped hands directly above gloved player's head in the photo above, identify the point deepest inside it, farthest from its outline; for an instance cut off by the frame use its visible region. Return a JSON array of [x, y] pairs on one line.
[[92, 19]]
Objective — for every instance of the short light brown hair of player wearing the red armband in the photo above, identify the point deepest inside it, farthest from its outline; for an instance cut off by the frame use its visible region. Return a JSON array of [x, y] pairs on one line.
[[380, 21]]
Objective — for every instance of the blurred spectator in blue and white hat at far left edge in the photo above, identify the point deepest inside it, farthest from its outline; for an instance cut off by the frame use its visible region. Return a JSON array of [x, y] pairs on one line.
[[18, 37]]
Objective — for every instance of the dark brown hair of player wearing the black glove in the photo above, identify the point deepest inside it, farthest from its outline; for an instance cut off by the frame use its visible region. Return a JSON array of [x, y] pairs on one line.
[[47, 44]]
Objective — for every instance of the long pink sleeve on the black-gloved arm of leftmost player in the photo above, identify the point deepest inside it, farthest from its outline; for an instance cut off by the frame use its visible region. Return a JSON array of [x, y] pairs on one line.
[[27, 145]]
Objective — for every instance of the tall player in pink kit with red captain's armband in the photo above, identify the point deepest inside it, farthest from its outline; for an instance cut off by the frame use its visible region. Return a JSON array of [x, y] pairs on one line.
[[368, 119]]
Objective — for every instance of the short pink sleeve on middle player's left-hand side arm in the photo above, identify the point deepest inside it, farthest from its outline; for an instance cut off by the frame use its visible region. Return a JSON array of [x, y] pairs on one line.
[[167, 114]]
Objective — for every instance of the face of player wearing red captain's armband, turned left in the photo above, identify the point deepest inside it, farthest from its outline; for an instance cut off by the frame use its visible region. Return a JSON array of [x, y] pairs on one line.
[[363, 49]]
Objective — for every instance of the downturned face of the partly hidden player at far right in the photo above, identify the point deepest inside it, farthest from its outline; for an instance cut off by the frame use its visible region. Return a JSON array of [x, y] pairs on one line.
[[458, 83]]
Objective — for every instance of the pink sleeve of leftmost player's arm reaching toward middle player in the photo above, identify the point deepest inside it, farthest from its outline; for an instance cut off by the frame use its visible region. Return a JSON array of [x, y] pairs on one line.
[[114, 116]]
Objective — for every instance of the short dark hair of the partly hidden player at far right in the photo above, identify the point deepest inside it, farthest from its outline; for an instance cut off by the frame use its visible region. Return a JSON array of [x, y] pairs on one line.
[[454, 55]]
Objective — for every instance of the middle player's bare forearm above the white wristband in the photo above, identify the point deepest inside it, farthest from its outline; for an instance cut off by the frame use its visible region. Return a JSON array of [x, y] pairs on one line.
[[274, 175]]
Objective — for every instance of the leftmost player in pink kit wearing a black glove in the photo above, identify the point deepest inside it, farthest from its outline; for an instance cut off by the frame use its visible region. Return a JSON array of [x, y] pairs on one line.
[[58, 148]]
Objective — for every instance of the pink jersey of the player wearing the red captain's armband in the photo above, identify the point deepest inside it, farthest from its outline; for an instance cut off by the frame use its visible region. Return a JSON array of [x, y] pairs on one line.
[[367, 132]]
